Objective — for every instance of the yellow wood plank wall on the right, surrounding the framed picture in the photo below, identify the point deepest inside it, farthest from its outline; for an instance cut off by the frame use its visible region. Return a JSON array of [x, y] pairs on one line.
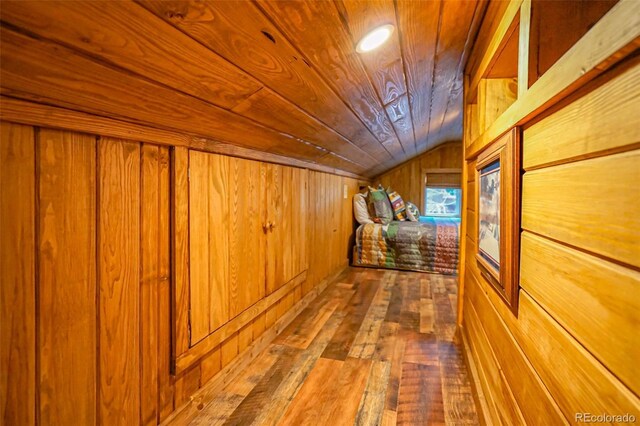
[[573, 347]]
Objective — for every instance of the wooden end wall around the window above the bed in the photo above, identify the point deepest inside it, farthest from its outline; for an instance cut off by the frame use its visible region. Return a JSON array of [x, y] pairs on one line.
[[408, 178]]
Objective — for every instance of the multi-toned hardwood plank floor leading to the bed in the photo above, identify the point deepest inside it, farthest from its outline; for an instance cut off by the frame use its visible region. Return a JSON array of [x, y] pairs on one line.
[[376, 347]]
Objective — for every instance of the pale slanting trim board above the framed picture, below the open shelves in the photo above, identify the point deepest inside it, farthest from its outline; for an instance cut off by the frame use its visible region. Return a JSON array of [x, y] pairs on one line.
[[612, 39]]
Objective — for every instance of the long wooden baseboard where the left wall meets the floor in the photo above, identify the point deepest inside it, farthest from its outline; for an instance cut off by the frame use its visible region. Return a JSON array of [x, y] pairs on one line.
[[197, 402]]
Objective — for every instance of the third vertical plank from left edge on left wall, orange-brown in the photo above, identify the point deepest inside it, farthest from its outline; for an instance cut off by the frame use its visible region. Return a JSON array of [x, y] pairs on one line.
[[119, 278]]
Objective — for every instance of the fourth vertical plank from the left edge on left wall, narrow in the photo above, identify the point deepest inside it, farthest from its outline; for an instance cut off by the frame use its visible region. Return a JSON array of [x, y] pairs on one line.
[[149, 284]]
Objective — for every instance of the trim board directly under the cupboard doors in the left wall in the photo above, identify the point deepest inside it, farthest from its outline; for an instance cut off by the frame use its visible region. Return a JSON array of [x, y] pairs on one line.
[[209, 343]]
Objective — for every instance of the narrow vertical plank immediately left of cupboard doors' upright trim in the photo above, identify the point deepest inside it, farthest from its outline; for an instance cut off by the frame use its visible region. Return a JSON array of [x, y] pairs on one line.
[[165, 380]]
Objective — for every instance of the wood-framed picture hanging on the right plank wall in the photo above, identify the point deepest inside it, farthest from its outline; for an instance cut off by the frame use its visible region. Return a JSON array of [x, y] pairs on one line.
[[498, 215]]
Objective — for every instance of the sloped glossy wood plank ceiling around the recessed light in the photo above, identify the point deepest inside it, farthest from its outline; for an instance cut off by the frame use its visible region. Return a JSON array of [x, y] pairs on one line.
[[276, 76]]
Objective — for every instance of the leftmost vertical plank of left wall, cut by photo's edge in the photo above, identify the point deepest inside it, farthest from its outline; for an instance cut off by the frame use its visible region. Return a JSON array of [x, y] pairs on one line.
[[17, 275]]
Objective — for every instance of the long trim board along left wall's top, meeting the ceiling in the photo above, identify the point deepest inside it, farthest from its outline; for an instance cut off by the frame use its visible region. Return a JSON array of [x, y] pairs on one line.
[[35, 114]]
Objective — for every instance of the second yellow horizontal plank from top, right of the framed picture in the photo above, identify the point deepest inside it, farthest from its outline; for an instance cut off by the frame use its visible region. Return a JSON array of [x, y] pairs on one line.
[[609, 227]]
